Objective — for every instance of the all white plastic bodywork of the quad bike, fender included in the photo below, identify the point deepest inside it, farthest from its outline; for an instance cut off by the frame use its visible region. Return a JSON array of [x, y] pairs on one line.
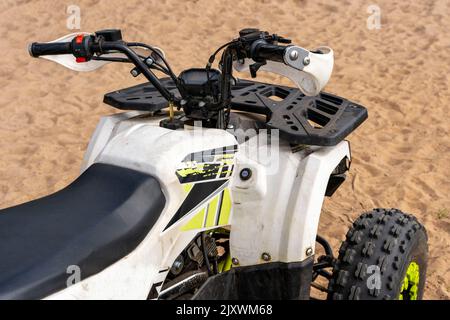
[[276, 211]]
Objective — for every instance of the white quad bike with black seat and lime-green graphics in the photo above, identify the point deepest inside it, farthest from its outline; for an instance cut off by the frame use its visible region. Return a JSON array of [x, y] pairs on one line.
[[208, 187]]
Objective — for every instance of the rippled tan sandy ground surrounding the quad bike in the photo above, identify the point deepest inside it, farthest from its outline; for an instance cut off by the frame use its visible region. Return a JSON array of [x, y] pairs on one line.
[[400, 72]]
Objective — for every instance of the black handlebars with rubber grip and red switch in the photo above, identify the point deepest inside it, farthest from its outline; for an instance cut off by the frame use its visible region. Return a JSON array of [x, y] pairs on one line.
[[260, 46]]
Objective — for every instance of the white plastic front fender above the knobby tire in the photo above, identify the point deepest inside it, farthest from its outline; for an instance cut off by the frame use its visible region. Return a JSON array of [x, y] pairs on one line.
[[278, 212]]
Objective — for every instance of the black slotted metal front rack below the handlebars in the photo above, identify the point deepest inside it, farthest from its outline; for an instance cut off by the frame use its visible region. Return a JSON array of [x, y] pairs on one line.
[[322, 120]]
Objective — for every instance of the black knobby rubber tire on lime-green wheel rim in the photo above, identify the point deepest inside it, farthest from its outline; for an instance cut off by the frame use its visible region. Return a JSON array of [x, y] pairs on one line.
[[387, 238]]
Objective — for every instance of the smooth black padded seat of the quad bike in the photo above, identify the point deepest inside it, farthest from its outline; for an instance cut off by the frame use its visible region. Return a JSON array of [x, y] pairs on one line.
[[95, 221]]
